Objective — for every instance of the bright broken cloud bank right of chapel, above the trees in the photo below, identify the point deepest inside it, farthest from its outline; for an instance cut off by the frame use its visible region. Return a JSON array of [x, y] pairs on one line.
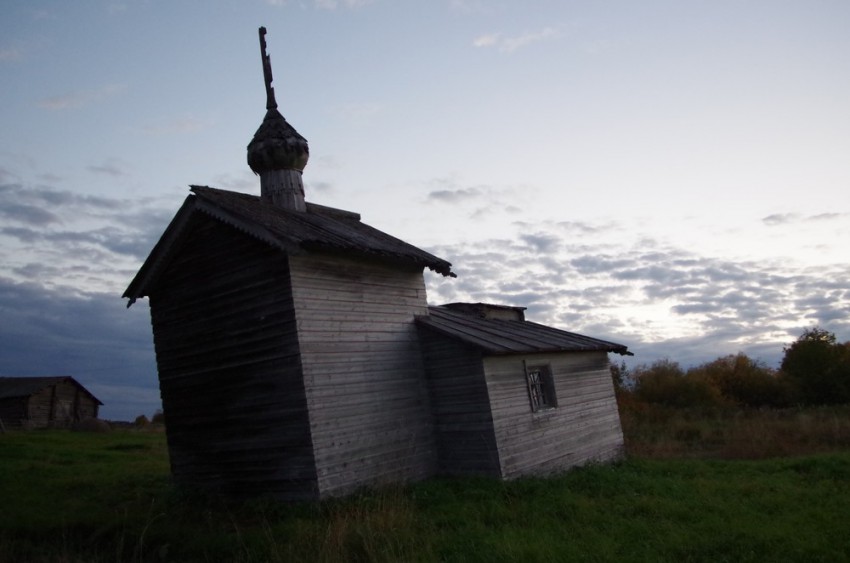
[[660, 300]]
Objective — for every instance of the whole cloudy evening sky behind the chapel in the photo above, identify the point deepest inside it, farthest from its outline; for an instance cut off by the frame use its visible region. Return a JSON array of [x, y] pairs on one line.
[[670, 175]]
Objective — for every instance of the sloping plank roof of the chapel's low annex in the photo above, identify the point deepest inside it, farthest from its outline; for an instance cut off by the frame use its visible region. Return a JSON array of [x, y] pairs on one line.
[[494, 336]]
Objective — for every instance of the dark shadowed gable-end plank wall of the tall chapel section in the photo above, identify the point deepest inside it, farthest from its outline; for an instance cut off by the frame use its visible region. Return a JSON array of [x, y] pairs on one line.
[[229, 370]]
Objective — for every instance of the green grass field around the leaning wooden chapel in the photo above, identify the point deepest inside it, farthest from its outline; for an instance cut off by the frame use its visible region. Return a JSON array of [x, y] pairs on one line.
[[682, 495]]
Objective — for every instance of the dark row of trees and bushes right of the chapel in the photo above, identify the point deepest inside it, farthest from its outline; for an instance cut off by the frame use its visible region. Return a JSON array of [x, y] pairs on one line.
[[815, 370]]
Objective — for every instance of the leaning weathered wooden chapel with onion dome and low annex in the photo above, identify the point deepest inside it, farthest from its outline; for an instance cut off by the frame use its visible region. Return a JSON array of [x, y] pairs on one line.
[[298, 357]]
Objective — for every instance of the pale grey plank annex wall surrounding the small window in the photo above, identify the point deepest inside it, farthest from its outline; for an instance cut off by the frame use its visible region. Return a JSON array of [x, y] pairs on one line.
[[585, 425]]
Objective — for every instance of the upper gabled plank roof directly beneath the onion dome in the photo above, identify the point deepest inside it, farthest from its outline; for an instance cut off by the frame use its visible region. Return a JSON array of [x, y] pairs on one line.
[[320, 228]]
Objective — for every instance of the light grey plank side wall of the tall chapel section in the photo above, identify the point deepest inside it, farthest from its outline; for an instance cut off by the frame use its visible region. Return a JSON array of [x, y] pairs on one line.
[[363, 372]]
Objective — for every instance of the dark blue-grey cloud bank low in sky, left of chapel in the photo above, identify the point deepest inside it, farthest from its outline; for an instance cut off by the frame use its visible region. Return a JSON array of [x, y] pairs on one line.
[[91, 337]]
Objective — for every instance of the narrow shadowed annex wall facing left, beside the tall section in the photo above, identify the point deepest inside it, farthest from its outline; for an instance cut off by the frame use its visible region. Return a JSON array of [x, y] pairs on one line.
[[460, 406]]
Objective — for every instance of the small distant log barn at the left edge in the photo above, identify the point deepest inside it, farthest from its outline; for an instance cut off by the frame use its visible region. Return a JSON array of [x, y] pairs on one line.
[[44, 402]]
